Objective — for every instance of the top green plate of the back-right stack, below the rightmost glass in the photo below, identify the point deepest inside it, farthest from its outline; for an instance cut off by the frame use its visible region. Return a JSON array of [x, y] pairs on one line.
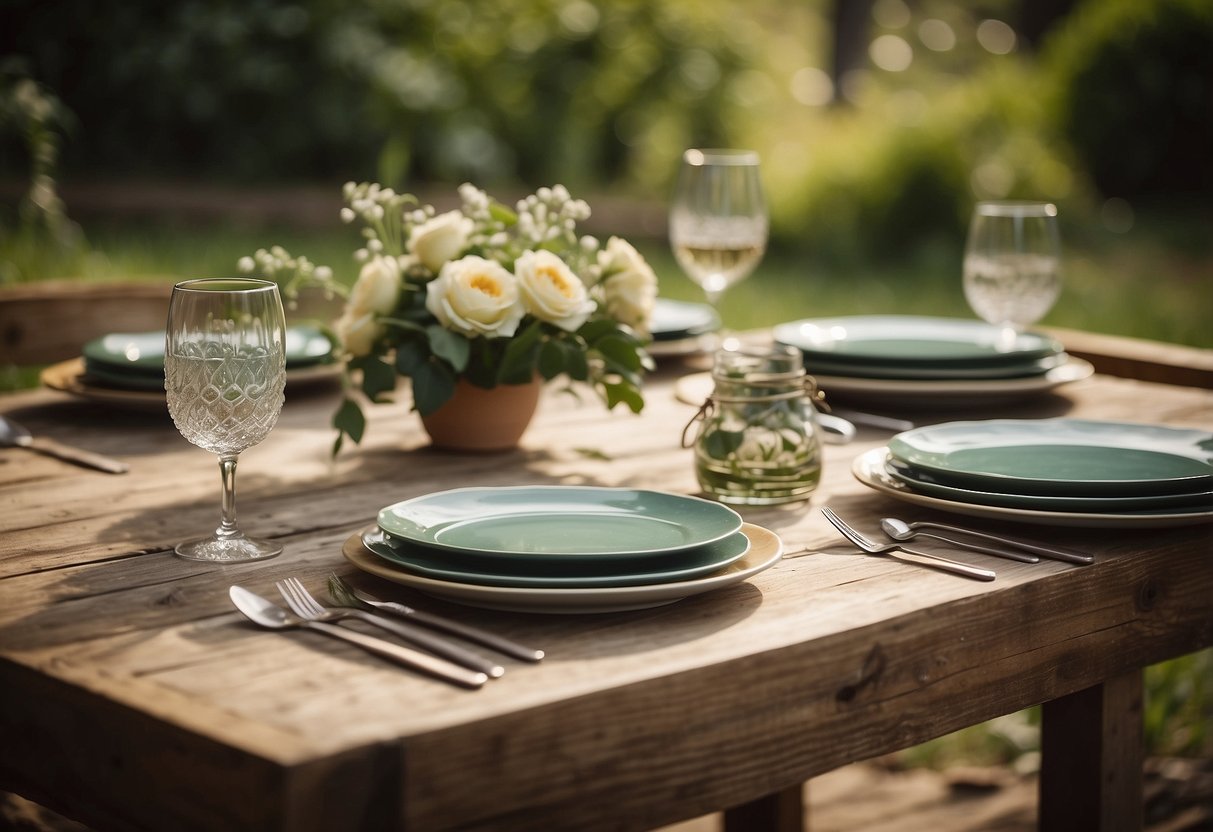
[[912, 341]]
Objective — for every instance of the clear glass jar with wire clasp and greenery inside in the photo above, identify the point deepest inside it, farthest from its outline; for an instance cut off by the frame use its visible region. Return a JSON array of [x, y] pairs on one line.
[[759, 442]]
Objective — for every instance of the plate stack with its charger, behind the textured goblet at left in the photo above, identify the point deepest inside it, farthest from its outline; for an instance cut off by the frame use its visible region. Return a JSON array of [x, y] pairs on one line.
[[128, 368]]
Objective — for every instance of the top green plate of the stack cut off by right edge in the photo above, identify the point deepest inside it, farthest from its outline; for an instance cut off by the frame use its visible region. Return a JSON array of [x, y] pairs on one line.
[[1061, 458]]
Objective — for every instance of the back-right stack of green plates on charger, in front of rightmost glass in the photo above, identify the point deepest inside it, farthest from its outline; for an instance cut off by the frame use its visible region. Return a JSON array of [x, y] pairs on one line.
[[904, 358]]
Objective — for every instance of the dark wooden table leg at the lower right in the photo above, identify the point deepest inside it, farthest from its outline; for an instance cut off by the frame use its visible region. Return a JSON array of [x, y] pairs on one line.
[[1092, 754]]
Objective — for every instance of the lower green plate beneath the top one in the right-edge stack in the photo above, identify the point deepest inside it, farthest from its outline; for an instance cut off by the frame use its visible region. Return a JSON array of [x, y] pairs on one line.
[[924, 483]]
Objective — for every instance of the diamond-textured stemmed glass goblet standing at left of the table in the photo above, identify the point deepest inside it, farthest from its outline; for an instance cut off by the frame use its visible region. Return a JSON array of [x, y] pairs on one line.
[[225, 372]]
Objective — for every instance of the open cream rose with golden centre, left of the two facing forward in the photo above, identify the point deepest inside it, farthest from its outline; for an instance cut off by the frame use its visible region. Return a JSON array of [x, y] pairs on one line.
[[476, 297]]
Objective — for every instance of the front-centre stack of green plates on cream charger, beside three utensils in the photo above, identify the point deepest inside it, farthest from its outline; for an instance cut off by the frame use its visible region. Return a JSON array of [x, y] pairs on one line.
[[562, 549]]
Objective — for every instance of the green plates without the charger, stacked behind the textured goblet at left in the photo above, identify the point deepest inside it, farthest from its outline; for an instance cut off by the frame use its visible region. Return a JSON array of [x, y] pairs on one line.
[[135, 361]]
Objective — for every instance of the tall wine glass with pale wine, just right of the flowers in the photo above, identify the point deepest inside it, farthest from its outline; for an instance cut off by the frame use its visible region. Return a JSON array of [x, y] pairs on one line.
[[719, 219]]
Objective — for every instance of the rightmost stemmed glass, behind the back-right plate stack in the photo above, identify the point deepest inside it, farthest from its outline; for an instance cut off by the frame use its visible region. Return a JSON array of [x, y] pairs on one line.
[[1013, 265]]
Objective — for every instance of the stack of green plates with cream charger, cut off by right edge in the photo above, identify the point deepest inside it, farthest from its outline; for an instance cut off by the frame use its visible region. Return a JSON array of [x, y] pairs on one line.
[[1063, 471]]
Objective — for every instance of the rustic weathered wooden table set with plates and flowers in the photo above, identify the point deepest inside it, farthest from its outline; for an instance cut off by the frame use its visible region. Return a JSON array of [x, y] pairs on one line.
[[133, 696]]
